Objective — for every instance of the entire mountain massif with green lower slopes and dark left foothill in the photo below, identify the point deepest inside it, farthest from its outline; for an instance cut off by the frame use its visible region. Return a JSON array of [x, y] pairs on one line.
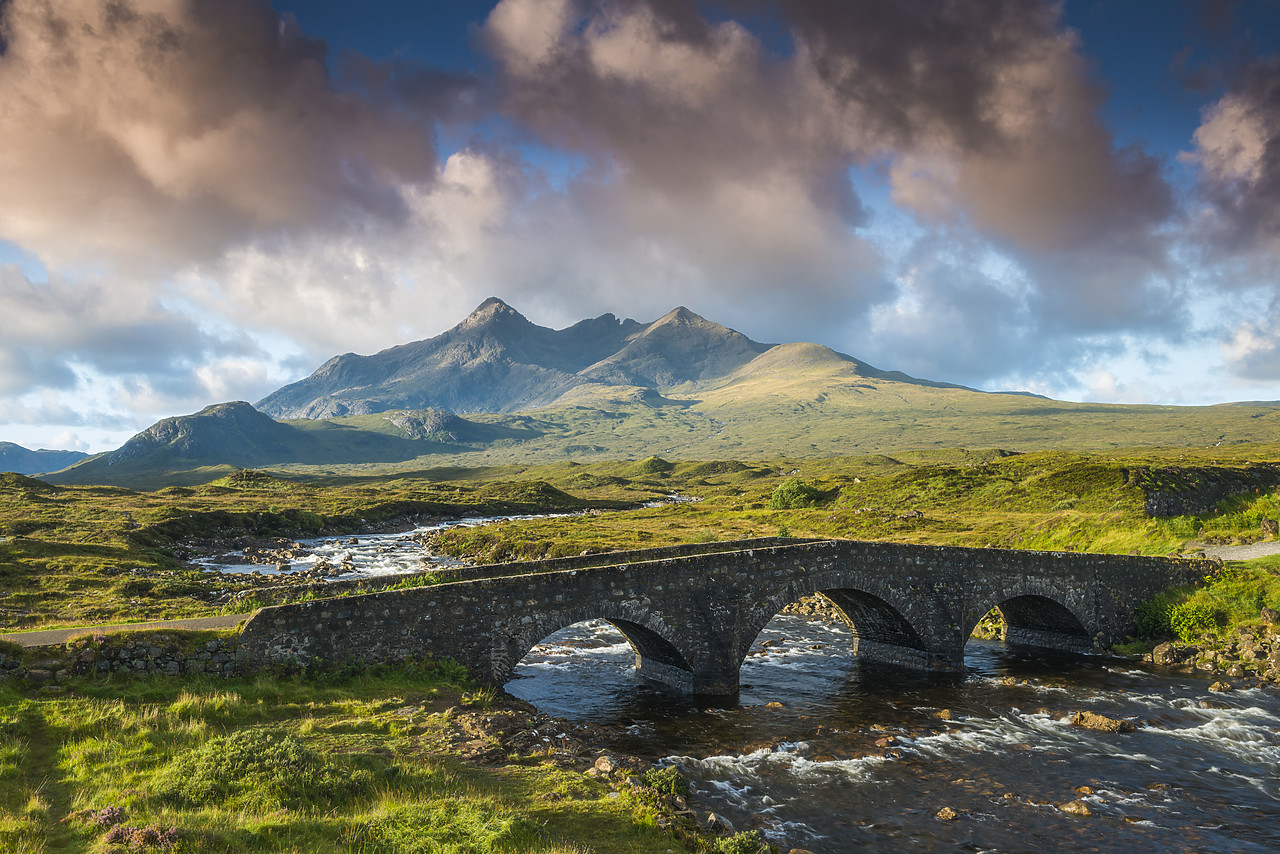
[[682, 387]]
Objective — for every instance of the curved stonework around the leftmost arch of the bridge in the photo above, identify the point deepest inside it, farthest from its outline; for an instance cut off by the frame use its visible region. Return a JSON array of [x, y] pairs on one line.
[[657, 656]]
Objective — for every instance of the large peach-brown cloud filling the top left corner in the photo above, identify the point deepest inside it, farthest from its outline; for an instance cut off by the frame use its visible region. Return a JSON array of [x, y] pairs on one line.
[[154, 134]]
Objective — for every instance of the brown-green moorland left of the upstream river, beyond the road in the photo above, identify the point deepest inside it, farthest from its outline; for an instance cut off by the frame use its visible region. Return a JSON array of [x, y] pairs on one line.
[[84, 555]]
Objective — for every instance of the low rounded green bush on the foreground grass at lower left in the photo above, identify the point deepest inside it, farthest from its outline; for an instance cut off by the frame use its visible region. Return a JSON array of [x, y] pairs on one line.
[[263, 769]]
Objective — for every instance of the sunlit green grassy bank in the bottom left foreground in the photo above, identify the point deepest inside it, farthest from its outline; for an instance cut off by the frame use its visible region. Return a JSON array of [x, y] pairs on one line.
[[356, 764]]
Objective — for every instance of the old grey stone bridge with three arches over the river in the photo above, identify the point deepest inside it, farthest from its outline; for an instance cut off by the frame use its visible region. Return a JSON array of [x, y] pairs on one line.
[[693, 613]]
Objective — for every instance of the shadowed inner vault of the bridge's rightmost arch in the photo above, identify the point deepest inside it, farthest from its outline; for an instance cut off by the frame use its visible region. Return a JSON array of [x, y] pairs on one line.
[[1040, 615]]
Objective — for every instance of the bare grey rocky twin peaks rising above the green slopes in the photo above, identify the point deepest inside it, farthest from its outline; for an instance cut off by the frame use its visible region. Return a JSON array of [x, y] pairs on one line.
[[499, 362]]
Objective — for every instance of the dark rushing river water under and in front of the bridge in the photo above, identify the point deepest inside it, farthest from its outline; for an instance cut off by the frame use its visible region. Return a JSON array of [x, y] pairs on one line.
[[824, 755]]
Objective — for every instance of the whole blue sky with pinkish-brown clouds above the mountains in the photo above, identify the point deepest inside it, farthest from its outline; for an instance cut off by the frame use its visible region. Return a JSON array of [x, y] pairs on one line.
[[204, 200]]
